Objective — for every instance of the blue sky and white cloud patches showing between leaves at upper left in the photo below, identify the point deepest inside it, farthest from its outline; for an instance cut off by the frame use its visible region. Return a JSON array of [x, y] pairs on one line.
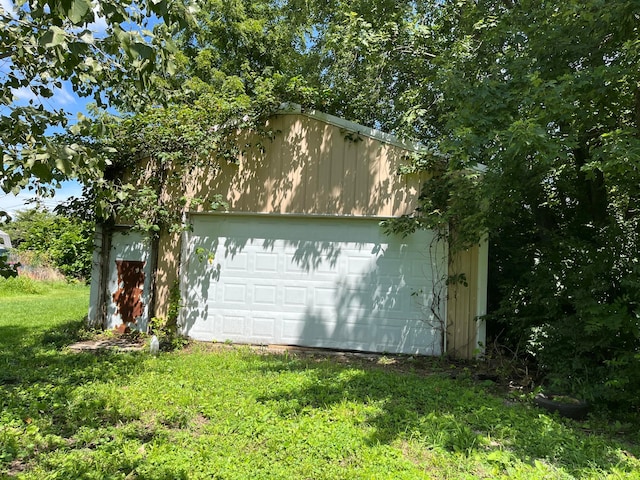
[[63, 98]]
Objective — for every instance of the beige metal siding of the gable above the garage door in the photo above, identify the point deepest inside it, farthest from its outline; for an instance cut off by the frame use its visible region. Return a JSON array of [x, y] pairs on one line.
[[310, 167]]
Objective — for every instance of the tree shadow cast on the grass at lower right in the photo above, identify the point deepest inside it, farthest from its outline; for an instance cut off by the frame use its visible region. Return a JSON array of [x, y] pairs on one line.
[[437, 412]]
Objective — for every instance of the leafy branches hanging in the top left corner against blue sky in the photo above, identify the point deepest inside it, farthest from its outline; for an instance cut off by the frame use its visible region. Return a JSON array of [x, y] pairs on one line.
[[43, 44]]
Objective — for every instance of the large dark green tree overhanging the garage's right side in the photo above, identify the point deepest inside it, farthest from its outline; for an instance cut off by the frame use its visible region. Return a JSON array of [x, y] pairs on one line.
[[547, 97]]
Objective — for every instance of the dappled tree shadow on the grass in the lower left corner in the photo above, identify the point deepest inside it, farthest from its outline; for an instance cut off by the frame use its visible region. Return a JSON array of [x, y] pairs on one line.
[[70, 405]]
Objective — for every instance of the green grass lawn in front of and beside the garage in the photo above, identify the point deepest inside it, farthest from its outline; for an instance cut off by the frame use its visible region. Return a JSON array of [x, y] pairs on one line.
[[231, 413]]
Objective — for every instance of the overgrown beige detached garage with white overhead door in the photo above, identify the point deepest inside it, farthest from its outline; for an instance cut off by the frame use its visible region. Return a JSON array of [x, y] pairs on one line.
[[300, 257]]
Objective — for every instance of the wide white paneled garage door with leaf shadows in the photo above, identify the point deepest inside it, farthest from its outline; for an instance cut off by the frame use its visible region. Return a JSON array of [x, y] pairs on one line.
[[321, 282]]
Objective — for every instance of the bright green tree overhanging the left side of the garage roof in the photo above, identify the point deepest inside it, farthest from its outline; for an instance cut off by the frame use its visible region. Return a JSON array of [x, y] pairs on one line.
[[234, 66]]
